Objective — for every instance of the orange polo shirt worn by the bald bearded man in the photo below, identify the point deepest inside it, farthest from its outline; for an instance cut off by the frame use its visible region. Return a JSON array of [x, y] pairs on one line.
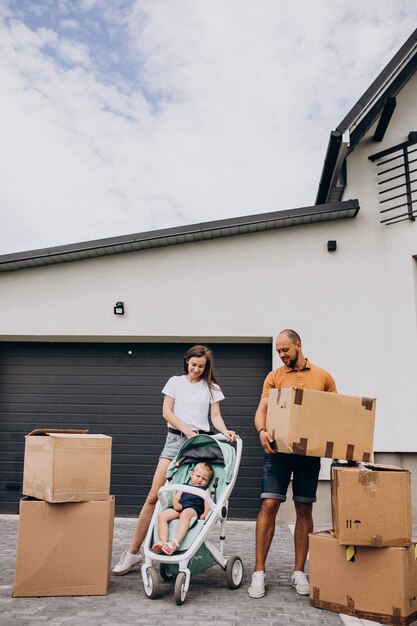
[[309, 377]]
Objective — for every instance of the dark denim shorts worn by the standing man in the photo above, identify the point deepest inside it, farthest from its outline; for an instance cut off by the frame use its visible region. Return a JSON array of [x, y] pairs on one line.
[[277, 472]]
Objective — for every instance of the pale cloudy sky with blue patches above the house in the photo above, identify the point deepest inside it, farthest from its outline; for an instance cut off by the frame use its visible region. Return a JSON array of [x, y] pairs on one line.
[[125, 116]]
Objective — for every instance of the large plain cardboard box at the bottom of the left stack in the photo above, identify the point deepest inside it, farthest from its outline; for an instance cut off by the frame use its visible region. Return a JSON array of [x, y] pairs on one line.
[[64, 549]]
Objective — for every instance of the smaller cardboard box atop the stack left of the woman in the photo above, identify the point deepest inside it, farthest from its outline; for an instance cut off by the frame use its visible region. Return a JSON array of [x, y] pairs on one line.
[[66, 466]]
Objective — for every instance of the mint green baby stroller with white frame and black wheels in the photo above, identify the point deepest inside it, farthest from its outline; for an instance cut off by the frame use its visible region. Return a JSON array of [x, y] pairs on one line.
[[196, 552]]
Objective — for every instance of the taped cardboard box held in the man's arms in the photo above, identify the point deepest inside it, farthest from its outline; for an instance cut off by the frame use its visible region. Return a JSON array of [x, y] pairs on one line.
[[318, 423]]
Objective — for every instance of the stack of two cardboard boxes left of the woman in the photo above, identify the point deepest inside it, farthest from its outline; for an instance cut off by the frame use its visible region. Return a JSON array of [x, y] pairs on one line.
[[66, 517]]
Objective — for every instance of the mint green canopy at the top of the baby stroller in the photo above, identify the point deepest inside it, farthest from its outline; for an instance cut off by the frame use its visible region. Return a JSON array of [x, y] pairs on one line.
[[204, 448]]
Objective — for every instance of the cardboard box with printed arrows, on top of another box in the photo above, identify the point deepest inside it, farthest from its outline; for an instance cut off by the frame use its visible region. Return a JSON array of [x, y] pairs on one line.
[[371, 505]]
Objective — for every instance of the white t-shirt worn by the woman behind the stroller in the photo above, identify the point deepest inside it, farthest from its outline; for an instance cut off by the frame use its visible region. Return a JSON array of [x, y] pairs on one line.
[[192, 400]]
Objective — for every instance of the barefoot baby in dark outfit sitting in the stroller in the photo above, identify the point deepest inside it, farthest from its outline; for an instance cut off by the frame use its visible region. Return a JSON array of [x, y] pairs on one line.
[[185, 506]]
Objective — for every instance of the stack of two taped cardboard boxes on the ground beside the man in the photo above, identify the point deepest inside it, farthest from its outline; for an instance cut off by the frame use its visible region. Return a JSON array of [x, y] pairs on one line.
[[367, 565]]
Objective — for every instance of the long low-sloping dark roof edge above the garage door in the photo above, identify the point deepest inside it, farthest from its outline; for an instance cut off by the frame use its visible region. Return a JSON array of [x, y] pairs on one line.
[[179, 235]]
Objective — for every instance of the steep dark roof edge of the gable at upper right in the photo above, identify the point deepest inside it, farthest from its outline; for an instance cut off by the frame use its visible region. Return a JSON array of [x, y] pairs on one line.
[[378, 99]]
